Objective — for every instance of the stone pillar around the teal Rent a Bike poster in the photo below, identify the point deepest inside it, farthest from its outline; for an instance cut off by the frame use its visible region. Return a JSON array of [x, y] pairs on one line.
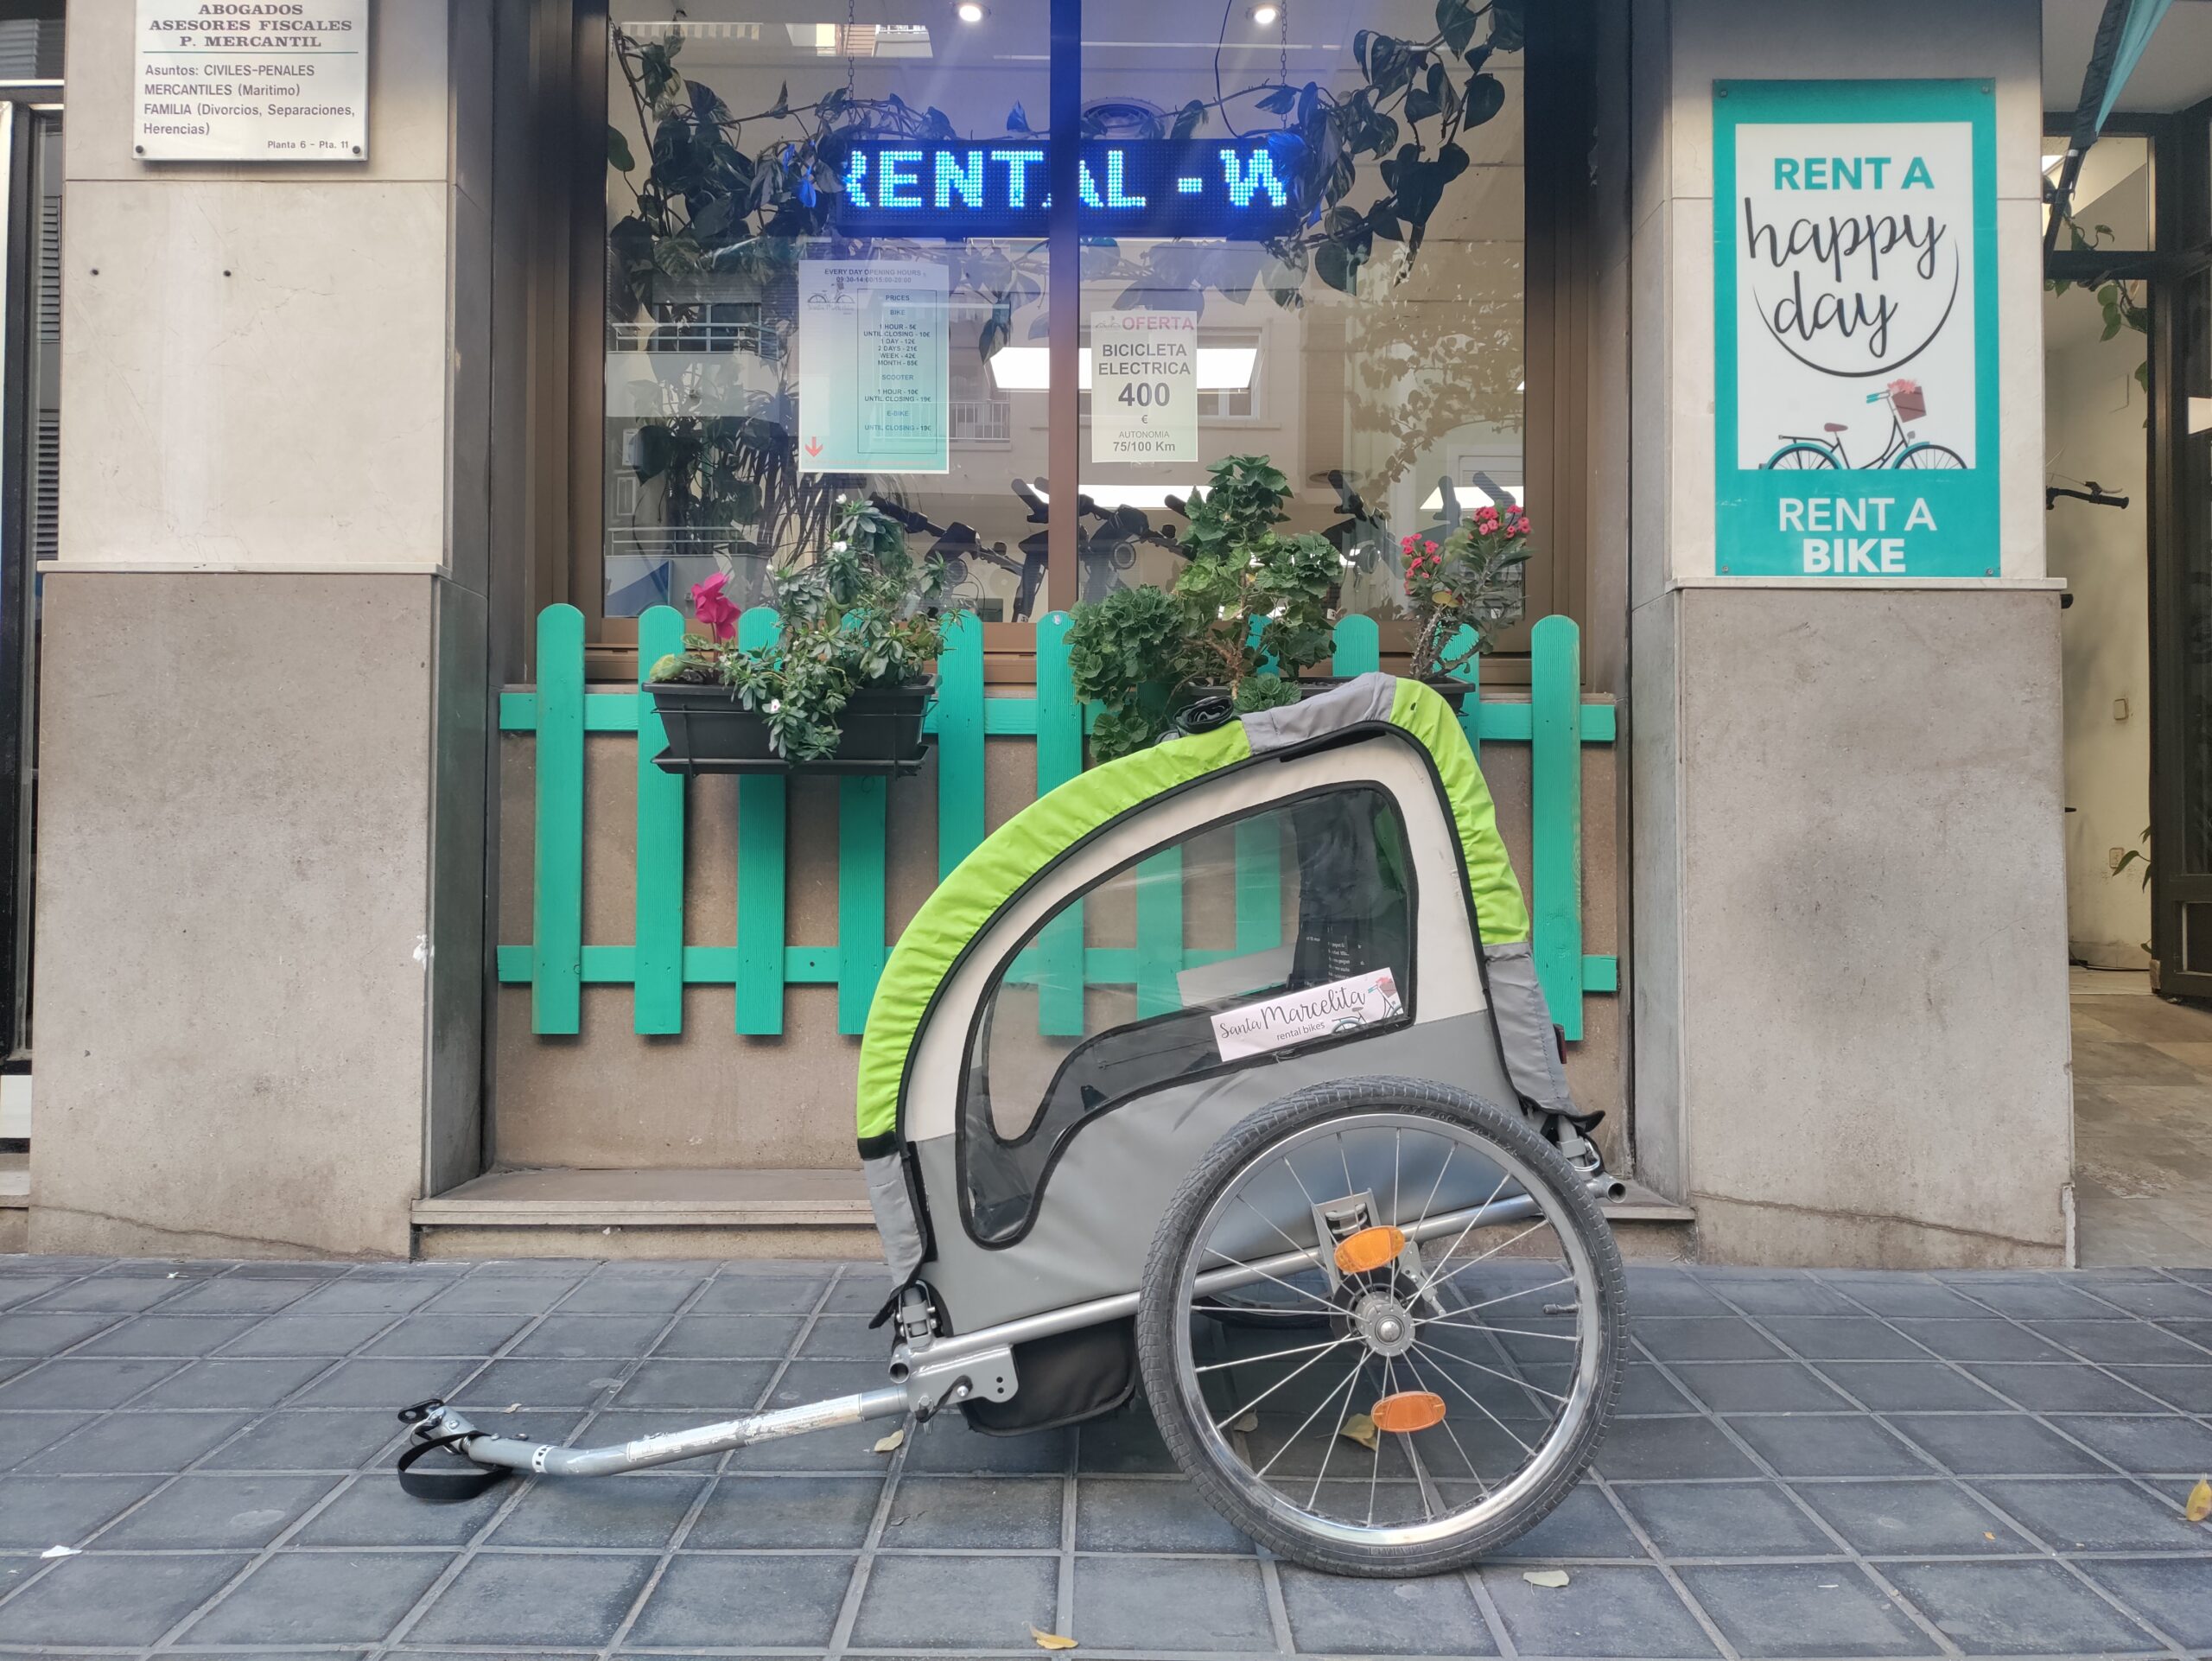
[[1850, 932]]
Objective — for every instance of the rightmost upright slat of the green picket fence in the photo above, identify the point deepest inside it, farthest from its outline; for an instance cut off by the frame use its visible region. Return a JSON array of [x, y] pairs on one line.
[[1556, 815]]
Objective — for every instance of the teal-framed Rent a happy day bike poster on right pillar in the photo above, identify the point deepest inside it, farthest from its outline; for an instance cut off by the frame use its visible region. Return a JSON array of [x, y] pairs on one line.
[[1855, 331]]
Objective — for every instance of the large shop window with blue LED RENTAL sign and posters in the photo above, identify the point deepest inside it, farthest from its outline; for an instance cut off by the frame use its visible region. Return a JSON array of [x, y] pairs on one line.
[[828, 269]]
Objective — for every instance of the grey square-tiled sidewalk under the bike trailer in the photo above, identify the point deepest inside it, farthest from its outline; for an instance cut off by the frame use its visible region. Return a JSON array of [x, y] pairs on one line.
[[1808, 1465]]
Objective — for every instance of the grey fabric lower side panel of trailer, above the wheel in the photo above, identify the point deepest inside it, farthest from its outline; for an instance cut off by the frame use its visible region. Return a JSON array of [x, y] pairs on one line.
[[1114, 1182]]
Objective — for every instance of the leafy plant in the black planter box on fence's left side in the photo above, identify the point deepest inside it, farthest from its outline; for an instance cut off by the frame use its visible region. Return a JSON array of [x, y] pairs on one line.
[[862, 614]]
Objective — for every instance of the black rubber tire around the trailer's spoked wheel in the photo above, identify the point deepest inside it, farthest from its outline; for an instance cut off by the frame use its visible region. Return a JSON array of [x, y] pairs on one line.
[[1162, 1313]]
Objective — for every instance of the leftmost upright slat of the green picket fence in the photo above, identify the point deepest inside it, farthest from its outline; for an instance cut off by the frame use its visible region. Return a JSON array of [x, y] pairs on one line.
[[559, 906]]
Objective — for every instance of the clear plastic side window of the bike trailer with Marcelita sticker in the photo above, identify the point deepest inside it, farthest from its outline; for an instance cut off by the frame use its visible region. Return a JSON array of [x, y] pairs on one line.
[[1342, 917]]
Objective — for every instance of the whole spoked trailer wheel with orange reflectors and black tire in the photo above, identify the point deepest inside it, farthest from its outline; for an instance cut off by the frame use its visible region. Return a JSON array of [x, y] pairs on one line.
[[1463, 1337]]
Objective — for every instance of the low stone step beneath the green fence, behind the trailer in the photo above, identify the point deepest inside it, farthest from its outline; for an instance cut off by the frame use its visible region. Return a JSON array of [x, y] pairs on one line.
[[758, 1215]]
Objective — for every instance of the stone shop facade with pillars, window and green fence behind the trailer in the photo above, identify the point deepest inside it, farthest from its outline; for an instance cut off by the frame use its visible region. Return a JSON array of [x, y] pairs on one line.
[[379, 472]]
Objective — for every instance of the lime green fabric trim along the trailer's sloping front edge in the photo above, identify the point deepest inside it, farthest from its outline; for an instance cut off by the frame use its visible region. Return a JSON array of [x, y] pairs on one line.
[[966, 901]]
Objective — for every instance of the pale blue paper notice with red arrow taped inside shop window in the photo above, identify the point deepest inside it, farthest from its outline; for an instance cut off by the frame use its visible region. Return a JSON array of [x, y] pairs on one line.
[[873, 368]]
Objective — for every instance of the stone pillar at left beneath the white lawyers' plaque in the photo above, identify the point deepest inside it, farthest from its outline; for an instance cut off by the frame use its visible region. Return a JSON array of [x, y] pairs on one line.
[[264, 689]]
